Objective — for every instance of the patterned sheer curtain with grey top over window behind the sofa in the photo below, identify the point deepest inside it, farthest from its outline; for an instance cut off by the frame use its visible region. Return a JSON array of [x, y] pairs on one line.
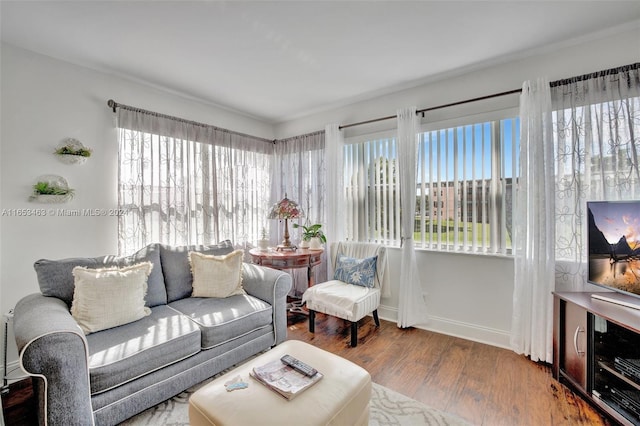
[[188, 183]]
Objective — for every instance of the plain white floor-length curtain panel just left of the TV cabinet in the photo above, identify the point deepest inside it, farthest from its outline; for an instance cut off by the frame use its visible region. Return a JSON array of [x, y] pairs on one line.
[[531, 327]]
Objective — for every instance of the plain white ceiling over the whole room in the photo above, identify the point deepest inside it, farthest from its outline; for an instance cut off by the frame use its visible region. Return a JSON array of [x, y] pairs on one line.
[[280, 60]]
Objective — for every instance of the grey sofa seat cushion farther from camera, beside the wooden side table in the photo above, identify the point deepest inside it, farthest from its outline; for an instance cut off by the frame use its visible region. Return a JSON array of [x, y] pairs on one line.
[[222, 320]]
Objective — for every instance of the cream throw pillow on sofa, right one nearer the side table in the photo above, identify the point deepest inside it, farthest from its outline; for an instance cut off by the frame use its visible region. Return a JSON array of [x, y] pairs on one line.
[[216, 276]]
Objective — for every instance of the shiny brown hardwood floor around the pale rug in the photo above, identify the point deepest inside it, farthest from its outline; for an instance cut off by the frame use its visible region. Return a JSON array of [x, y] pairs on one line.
[[482, 384]]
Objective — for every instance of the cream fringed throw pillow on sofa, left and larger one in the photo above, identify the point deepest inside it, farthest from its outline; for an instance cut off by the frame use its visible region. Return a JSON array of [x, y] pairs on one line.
[[109, 297]]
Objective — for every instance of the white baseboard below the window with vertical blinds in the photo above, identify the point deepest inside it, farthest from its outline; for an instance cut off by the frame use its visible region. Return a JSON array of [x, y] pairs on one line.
[[473, 332]]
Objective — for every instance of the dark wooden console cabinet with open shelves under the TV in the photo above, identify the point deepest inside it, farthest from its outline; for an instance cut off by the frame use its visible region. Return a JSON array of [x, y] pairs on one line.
[[596, 347]]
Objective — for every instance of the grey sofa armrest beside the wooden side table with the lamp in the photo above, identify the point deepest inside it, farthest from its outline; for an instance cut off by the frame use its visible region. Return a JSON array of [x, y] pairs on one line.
[[272, 286]]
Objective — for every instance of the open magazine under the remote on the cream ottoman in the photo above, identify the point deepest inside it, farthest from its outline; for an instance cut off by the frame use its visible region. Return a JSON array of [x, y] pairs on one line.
[[283, 379]]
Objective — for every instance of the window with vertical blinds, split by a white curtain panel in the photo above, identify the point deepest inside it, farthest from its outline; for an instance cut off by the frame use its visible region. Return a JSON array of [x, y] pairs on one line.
[[464, 178]]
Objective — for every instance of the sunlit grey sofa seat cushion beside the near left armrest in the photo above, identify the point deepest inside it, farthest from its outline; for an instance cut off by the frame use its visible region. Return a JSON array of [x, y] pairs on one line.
[[121, 354]]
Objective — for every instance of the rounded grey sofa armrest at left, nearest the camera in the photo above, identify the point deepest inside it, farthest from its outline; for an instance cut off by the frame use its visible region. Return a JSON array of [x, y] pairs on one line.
[[53, 349]]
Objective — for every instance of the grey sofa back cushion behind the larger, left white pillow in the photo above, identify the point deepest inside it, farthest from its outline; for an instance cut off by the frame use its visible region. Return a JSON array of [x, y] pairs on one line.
[[55, 277]]
